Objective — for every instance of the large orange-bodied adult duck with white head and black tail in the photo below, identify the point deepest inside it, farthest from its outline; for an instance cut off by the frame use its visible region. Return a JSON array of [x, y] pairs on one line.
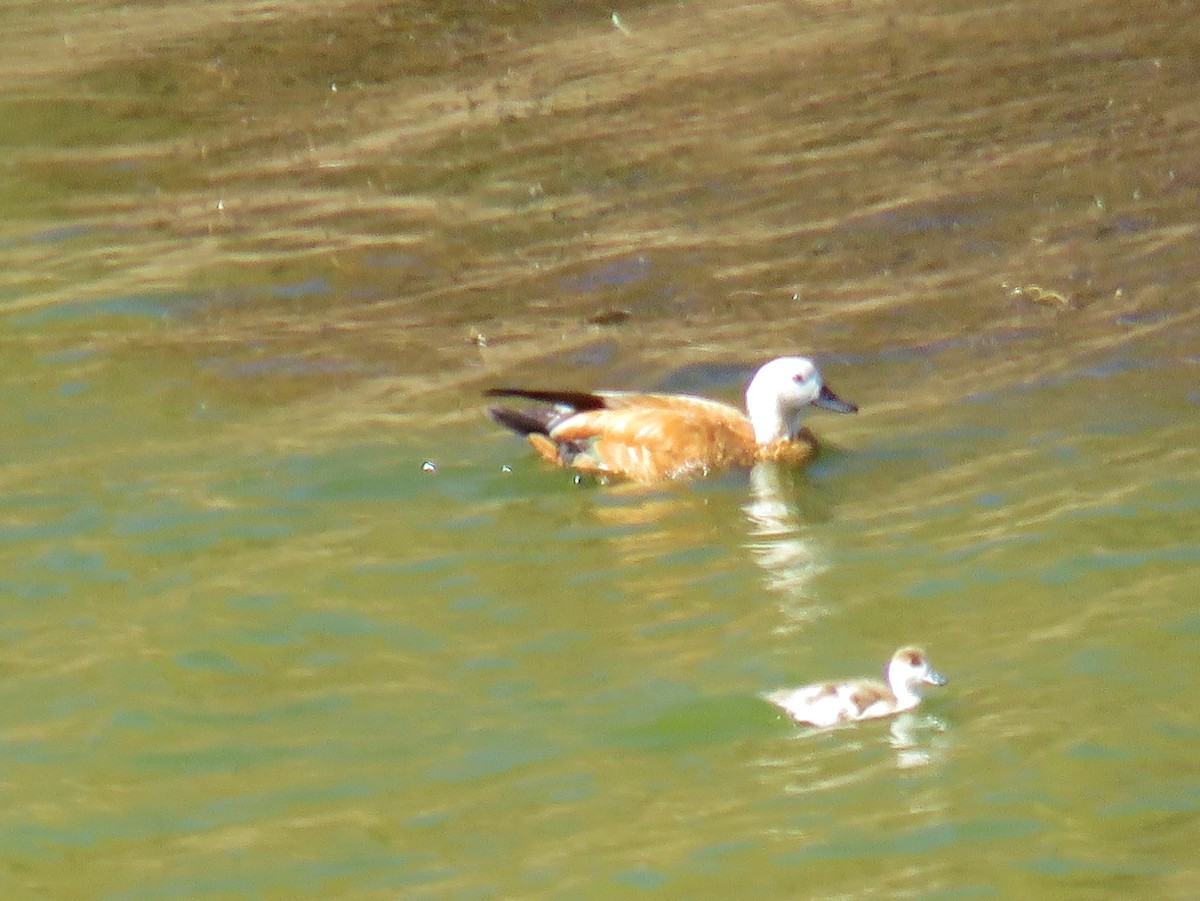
[[652, 437]]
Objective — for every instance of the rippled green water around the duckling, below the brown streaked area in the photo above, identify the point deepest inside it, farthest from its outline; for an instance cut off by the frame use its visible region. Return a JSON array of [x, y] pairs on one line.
[[323, 671]]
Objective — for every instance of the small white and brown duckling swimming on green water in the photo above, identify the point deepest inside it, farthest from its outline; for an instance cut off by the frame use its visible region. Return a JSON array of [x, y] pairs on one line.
[[835, 702]]
